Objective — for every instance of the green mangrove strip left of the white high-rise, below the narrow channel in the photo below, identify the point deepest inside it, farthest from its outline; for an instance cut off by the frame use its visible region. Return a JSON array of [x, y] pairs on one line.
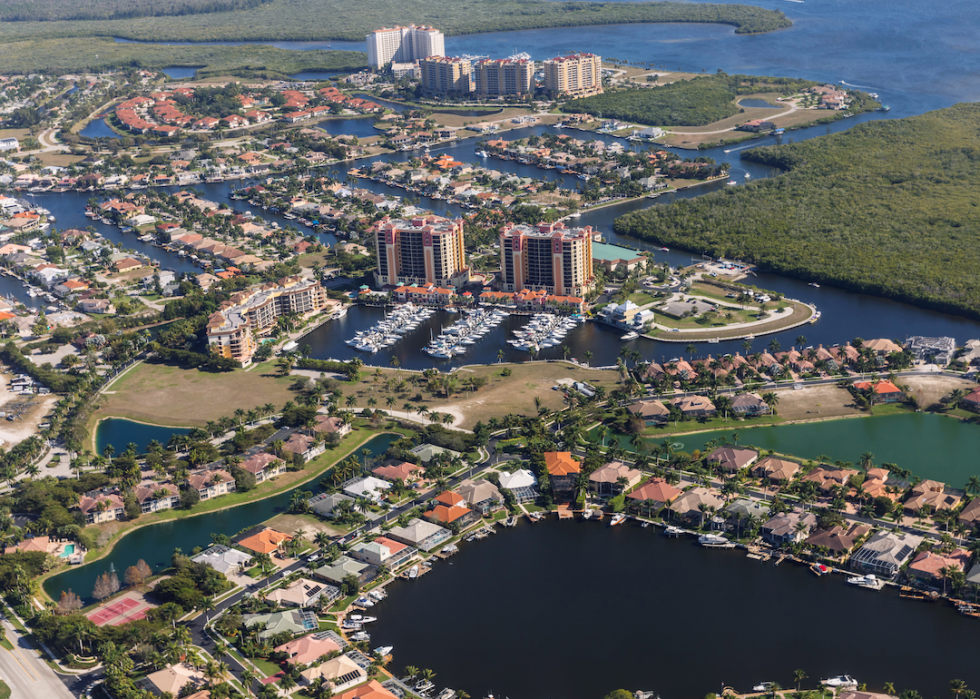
[[95, 54]]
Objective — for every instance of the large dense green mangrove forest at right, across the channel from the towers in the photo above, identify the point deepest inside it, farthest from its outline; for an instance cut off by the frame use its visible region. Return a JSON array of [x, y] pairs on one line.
[[888, 207]]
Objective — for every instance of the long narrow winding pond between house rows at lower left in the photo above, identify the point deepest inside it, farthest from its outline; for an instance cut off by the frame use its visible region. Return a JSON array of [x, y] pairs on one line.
[[156, 543]]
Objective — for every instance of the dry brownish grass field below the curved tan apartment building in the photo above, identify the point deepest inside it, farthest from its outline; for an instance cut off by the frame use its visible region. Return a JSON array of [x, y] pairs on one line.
[[165, 395]]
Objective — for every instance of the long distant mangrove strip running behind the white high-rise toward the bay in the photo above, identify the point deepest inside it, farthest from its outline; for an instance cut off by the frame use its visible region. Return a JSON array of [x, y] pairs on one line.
[[318, 20]]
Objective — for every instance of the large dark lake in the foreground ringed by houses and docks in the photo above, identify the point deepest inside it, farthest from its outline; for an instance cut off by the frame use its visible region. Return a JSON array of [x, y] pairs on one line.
[[576, 610]]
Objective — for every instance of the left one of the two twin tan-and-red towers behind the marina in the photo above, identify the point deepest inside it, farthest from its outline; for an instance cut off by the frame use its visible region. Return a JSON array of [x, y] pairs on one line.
[[425, 250]]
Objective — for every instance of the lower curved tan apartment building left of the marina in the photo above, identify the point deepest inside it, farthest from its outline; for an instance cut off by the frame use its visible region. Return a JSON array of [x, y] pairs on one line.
[[233, 330]]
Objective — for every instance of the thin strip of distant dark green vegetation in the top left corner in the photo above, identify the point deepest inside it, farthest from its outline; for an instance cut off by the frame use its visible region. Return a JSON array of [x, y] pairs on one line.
[[47, 10]]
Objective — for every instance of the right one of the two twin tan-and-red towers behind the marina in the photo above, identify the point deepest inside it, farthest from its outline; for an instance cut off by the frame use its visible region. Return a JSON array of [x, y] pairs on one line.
[[549, 257]]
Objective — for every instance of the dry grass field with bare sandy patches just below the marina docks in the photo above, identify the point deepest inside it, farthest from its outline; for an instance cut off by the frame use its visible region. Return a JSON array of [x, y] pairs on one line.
[[502, 395]]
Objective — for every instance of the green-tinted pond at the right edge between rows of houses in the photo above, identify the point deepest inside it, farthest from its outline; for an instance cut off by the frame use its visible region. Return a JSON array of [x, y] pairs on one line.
[[931, 446]]
